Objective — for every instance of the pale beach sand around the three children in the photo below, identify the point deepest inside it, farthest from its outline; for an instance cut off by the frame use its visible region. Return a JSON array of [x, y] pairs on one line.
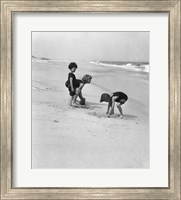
[[64, 137]]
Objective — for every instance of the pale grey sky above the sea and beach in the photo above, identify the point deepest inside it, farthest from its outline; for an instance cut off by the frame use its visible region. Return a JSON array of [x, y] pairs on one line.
[[91, 46]]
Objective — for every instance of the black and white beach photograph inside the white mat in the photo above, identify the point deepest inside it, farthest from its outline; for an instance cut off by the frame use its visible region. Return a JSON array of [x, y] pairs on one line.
[[90, 100]]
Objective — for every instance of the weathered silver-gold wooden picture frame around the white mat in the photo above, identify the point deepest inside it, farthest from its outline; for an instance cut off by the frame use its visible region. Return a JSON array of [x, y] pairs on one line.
[[7, 10]]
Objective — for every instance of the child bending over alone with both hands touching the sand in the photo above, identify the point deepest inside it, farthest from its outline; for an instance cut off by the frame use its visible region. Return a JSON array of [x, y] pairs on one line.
[[118, 97]]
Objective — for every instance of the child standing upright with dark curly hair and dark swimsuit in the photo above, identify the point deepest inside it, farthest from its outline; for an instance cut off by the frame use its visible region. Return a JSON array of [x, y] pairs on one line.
[[71, 83]]
